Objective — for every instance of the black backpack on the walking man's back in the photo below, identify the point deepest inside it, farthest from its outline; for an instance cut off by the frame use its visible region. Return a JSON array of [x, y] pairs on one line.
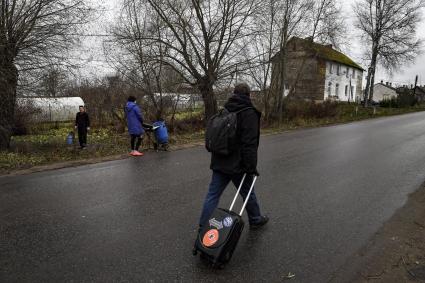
[[220, 136]]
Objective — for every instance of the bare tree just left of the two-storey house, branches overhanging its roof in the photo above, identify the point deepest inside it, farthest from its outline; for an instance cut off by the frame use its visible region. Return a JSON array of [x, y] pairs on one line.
[[319, 21]]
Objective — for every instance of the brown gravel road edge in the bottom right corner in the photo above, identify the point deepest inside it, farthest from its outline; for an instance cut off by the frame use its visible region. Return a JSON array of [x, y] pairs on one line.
[[396, 253]]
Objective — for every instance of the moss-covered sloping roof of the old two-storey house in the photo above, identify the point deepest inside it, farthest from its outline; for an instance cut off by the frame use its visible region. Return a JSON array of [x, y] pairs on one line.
[[328, 53]]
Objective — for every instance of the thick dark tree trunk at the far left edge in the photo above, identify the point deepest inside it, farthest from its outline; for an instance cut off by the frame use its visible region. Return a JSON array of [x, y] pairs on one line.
[[8, 84]]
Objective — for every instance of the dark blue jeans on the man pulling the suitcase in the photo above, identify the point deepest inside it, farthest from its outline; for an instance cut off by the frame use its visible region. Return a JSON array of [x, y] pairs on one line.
[[218, 183]]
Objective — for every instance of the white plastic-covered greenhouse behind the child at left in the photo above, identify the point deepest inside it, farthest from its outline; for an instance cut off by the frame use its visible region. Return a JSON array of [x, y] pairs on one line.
[[52, 109]]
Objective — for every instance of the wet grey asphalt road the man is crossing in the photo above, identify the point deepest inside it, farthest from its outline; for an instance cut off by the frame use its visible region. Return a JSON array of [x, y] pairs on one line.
[[326, 190]]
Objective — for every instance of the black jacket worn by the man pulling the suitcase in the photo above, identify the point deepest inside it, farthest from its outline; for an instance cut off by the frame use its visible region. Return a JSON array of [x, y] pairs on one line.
[[243, 160]]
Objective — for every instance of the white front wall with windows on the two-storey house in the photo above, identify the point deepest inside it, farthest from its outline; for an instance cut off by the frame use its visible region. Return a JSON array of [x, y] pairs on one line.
[[342, 85]]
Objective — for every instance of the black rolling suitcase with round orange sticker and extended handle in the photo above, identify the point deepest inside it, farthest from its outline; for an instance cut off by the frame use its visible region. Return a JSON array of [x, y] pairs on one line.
[[218, 238]]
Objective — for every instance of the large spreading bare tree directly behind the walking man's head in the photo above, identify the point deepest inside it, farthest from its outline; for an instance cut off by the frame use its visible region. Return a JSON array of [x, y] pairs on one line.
[[204, 40]]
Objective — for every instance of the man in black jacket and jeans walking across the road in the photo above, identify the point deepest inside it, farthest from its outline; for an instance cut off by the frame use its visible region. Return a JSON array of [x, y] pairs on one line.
[[232, 167]]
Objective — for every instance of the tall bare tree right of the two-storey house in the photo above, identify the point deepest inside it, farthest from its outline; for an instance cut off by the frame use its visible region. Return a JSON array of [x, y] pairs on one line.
[[389, 28]]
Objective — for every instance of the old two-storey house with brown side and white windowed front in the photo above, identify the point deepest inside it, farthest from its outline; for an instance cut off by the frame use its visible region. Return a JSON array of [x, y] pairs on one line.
[[318, 72]]
